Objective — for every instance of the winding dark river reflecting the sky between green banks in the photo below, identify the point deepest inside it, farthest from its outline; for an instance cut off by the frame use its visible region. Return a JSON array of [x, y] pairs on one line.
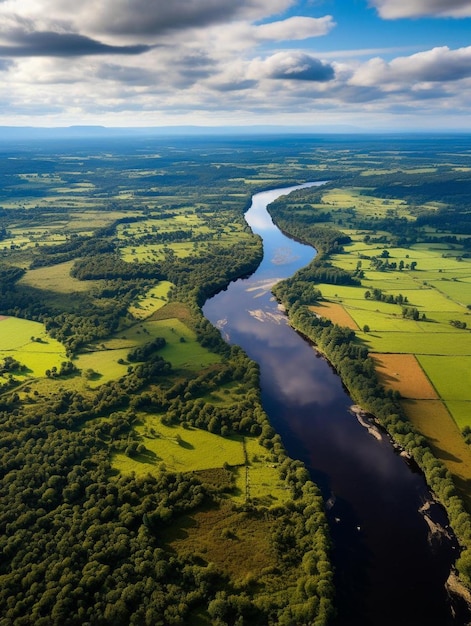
[[390, 570]]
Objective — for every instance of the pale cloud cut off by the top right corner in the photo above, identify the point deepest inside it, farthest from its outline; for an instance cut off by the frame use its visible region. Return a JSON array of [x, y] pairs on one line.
[[393, 9]]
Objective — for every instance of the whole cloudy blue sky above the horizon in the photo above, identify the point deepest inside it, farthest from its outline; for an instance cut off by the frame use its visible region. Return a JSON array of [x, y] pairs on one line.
[[326, 64]]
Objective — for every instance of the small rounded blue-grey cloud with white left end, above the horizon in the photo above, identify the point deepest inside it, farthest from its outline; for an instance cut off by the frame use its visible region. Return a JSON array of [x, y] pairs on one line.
[[293, 66]]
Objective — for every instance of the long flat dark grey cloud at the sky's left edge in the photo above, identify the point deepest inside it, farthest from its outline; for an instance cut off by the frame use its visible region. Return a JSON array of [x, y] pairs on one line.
[[51, 44]]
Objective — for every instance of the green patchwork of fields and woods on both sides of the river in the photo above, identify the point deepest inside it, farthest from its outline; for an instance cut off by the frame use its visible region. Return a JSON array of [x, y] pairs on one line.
[[142, 481]]
